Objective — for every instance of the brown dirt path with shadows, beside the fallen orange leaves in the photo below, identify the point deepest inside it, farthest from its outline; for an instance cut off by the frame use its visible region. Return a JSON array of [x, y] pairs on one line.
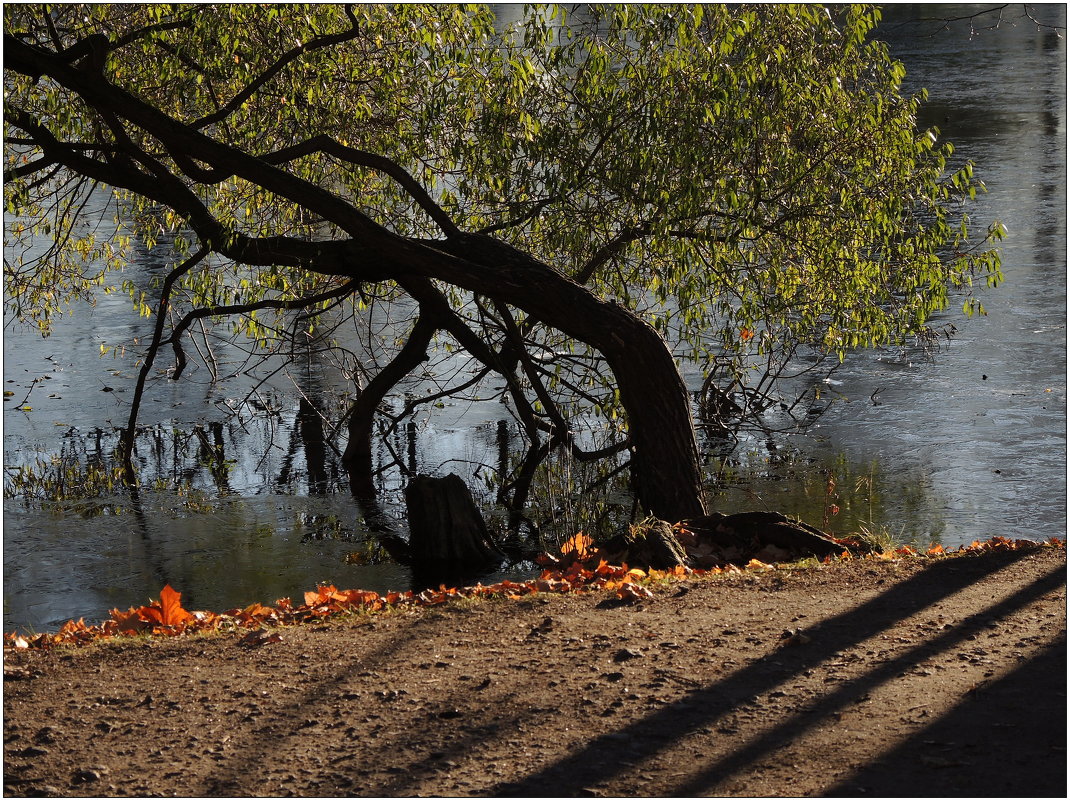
[[924, 677]]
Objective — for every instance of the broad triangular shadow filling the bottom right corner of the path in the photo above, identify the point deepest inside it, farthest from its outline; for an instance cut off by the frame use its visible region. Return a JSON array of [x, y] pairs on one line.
[[1010, 736]]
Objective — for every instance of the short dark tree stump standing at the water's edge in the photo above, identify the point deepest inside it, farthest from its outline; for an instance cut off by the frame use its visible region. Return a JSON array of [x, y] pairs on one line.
[[446, 527]]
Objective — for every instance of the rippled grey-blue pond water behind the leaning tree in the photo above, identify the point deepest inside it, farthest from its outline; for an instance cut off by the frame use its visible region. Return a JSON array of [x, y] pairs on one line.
[[968, 444]]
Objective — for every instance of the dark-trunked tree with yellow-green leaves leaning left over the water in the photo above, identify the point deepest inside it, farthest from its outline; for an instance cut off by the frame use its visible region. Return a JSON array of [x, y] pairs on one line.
[[555, 197]]
